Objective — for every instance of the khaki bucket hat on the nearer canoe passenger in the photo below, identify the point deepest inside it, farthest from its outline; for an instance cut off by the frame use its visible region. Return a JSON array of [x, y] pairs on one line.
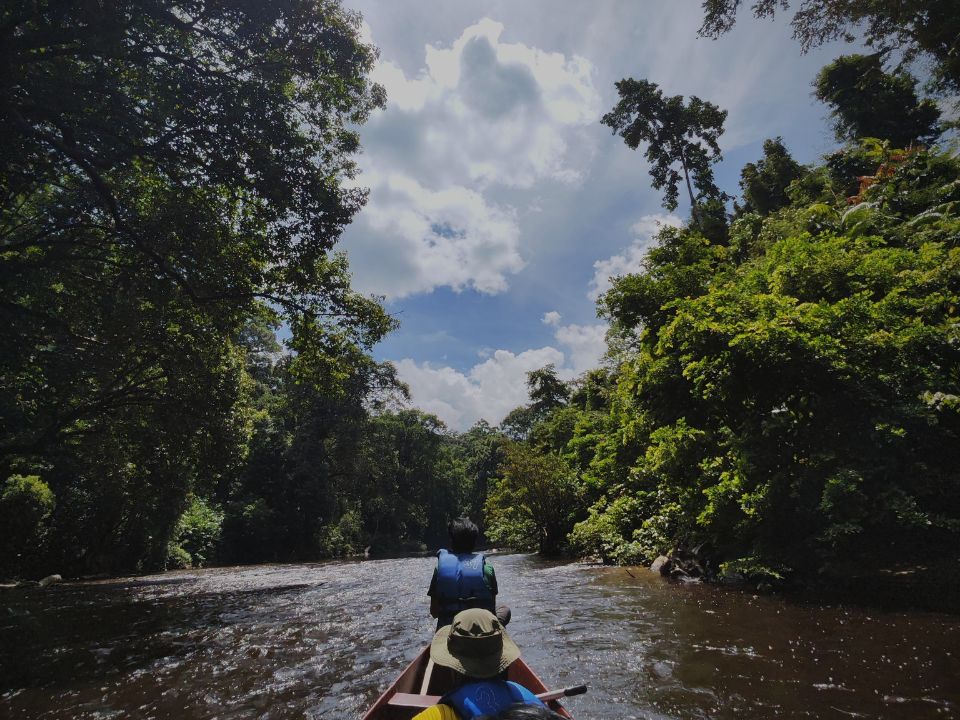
[[475, 644]]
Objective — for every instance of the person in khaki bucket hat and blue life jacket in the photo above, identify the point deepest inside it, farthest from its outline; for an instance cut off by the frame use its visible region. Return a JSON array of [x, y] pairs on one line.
[[477, 647]]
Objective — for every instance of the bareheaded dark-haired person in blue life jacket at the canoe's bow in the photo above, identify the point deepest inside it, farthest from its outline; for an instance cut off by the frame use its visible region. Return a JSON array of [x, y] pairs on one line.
[[463, 579]]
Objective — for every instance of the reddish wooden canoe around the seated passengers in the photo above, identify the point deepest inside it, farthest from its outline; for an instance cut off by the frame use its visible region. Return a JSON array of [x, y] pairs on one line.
[[418, 686]]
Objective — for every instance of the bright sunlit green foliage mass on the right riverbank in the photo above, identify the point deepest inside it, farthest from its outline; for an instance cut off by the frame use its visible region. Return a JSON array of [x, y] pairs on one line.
[[795, 404]]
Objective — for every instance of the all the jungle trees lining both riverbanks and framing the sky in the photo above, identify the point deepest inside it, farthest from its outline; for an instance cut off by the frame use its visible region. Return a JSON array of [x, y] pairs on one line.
[[781, 389]]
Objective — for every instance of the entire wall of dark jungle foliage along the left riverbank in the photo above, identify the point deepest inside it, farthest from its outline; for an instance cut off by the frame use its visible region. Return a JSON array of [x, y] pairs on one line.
[[172, 190]]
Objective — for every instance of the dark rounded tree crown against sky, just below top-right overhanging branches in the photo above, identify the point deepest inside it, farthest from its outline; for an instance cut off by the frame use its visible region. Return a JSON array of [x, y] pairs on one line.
[[868, 102]]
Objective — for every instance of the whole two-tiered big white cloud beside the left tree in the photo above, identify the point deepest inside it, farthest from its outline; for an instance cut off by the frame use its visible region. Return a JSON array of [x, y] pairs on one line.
[[479, 113]]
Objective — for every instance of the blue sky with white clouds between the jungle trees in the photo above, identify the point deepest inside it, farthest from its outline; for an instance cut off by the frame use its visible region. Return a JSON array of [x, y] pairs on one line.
[[500, 206]]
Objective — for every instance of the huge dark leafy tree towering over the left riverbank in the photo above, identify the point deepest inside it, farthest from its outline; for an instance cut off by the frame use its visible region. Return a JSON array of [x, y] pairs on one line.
[[169, 171]]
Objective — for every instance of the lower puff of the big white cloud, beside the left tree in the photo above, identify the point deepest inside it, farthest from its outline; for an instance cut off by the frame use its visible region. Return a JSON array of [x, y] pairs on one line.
[[411, 239]]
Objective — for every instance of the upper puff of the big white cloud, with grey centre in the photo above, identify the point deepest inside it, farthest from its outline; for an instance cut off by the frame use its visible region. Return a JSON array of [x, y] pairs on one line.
[[487, 111]]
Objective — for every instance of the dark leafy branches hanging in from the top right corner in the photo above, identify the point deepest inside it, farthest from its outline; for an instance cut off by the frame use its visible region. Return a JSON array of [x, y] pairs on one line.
[[915, 28]]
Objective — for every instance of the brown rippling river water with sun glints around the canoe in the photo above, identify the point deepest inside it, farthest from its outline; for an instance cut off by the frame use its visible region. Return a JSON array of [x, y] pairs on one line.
[[321, 641]]
